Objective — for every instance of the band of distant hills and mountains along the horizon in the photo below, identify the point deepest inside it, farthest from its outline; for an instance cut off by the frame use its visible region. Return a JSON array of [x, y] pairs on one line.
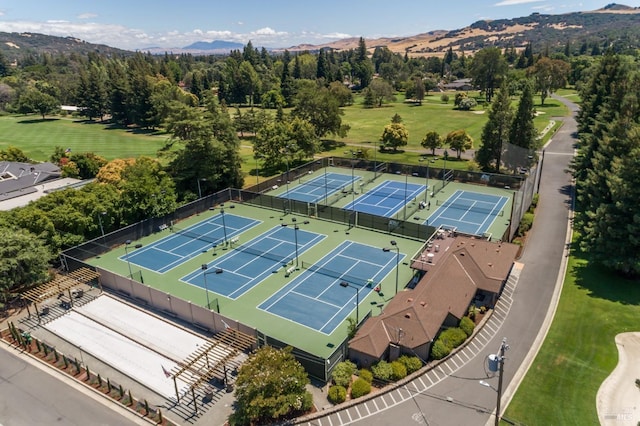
[[614, 25]]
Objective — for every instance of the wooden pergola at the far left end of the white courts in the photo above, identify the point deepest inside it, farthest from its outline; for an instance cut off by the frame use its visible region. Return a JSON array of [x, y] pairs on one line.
[[59, 285]]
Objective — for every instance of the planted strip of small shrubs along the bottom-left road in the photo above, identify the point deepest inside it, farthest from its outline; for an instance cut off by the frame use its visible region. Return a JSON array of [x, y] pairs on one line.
[[82, 373]]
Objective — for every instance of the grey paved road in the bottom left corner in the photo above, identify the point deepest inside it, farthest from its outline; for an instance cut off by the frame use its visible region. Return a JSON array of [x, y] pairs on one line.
[[31, 396]]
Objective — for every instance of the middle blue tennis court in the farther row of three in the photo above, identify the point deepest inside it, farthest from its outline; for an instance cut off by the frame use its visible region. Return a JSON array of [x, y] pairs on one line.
[[386, 199]]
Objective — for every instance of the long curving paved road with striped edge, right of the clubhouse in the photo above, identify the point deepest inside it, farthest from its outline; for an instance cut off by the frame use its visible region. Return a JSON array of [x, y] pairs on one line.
[[451, 394]]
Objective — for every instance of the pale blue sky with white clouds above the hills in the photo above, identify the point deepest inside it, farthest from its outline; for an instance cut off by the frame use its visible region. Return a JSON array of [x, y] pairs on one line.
[[142, 24]]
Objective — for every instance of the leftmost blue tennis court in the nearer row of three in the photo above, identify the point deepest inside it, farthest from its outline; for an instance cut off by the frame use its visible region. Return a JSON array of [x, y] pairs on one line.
[[180, 246]]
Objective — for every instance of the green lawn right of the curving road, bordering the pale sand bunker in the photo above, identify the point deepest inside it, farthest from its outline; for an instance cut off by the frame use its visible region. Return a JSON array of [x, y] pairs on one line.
[[579, 351]]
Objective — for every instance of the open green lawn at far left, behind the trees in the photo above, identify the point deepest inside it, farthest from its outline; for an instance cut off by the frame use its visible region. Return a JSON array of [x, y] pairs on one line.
[[37, 138]]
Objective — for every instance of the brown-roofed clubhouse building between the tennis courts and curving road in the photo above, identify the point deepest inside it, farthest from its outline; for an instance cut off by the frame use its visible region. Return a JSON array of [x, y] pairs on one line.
[[456, 271]]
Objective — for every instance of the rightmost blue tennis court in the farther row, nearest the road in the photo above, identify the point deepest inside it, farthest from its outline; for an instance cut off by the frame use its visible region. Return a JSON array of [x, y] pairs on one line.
[[468, 212]]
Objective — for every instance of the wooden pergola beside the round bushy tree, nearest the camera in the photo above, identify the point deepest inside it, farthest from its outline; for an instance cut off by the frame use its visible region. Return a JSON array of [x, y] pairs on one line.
[[212, 360]]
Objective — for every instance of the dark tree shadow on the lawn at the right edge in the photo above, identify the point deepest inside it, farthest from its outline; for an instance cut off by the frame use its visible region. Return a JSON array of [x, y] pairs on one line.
[[606, 284]]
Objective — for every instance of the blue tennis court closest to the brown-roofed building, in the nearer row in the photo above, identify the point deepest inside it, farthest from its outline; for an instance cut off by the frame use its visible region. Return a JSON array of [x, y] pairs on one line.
[[317, 299]]
